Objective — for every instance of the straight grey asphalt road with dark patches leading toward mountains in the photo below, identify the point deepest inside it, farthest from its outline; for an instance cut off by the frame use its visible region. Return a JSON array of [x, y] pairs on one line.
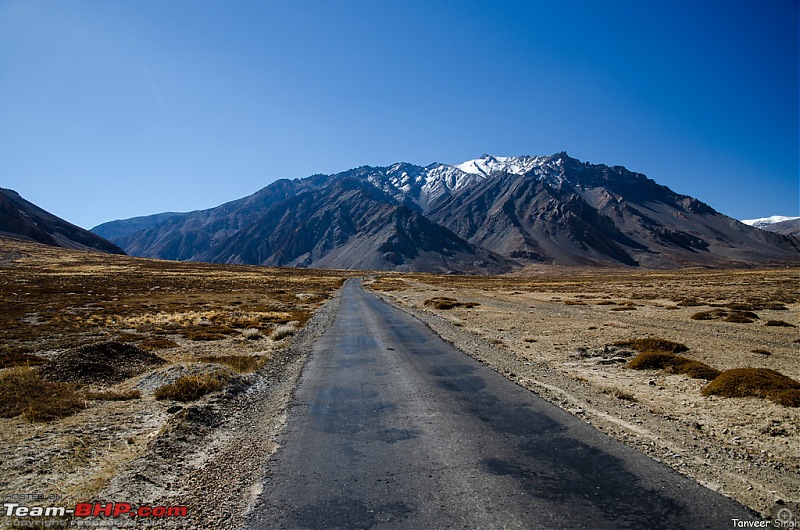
[[391, 427]]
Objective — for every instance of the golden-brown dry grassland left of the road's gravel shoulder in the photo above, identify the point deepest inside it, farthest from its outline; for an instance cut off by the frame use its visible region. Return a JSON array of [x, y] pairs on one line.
[[97, 352]]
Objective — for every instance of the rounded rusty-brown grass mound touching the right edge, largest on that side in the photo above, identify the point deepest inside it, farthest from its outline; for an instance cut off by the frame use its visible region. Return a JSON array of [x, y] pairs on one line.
[[755, 382]]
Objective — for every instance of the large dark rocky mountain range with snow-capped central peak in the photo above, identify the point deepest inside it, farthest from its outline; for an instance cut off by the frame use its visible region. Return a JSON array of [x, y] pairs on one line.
[[488, 215]]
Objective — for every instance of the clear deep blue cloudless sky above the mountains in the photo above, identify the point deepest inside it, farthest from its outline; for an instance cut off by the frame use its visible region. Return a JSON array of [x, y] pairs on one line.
[[112, 109]]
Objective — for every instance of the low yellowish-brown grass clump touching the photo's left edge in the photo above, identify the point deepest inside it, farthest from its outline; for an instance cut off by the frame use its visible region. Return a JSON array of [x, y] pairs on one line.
[[23, 392]]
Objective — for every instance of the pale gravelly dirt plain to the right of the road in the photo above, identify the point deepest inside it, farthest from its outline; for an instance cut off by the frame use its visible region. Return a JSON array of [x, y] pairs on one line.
[[553, 332]]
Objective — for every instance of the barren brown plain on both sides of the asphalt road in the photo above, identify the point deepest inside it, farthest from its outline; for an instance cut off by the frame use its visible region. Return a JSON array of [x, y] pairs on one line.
[[148, 381]]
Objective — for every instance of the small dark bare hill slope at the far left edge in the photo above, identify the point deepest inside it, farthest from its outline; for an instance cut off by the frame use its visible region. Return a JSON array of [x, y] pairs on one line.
[[21, 219]]
